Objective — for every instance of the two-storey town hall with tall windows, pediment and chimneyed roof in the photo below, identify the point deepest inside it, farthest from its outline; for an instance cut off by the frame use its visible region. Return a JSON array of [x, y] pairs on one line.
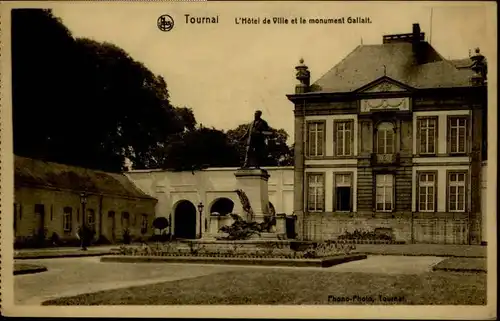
[[393, 137]]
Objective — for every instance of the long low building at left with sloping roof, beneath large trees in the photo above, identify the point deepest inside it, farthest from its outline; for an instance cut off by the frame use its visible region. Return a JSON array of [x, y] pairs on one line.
[[57, 199]]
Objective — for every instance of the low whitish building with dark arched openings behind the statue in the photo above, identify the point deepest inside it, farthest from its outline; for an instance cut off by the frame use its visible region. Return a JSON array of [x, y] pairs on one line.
[[180, 194]]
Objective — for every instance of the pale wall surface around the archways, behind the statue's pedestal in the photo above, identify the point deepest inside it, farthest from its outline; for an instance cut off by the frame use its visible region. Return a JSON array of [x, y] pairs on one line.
[[207, 186]]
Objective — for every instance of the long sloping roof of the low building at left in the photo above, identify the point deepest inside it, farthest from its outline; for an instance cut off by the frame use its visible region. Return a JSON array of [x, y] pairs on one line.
[[37, 173]]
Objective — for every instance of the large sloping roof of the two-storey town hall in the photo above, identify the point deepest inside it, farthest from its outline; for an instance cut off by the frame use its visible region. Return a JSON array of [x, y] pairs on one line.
[[366, 63]]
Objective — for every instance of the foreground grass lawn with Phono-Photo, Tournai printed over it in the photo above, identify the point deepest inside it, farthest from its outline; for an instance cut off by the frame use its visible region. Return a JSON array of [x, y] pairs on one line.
[[297, 287]]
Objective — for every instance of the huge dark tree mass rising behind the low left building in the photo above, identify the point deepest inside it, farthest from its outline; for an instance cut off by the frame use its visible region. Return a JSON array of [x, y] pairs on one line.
[[86, 103]]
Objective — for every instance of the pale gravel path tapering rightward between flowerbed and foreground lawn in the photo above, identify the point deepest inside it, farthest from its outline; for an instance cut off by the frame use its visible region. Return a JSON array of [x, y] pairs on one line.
[[71, 276]]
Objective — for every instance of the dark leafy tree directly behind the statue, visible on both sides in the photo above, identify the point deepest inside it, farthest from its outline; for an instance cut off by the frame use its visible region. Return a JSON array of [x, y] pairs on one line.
[[279, 153]]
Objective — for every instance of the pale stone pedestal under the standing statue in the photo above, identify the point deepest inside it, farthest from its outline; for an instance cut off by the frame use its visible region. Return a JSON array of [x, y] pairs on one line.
[[253, 182]]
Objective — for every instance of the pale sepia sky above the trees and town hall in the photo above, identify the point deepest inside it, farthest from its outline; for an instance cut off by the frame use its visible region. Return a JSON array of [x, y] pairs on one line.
[[226, 71]]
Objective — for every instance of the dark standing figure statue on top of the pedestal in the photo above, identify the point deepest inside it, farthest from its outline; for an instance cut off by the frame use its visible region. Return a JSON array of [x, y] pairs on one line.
[[256, 147]]
